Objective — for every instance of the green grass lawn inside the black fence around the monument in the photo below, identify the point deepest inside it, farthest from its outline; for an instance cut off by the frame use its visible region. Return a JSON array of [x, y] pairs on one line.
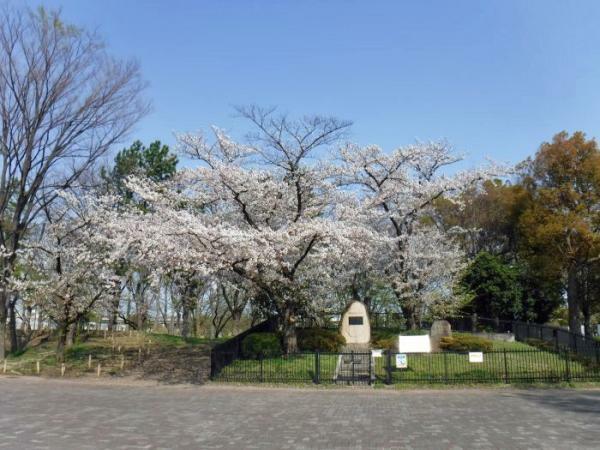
[[521, 362]]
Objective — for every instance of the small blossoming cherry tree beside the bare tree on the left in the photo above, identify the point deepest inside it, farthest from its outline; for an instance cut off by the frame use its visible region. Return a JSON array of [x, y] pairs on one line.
[[71, 266]]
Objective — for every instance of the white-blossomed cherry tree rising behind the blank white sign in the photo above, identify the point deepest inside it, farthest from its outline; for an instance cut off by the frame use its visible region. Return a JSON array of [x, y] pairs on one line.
[[398, 191]]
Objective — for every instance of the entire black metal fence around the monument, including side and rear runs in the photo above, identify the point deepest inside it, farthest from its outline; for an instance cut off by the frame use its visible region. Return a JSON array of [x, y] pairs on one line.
[[564, 356]]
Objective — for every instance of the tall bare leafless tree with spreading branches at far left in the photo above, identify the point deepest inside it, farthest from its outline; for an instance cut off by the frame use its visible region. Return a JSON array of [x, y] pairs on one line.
[[63, 103]]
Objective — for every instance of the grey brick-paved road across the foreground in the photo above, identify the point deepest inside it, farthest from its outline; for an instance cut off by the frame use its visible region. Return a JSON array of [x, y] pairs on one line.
[[63, 414]]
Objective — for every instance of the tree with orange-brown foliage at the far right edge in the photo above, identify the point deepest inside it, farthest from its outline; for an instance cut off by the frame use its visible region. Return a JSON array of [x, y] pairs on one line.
[[560, 230]]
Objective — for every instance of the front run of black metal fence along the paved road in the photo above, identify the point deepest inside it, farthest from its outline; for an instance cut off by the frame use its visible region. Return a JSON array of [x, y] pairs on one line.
[[502, 366]]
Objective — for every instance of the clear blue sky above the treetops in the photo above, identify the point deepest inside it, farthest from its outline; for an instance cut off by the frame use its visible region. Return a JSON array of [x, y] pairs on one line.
[[494, 78]]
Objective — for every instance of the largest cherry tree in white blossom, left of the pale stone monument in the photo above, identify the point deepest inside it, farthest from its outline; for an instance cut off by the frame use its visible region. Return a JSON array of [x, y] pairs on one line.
[[262, 211]]
